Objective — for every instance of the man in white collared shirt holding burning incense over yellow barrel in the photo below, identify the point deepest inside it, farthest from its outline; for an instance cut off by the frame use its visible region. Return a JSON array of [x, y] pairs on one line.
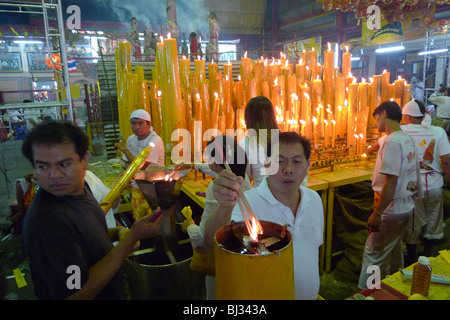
[[281, 199]]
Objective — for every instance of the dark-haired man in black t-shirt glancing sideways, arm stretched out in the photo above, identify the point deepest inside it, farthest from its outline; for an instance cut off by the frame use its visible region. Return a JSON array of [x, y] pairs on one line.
[[66, 237]]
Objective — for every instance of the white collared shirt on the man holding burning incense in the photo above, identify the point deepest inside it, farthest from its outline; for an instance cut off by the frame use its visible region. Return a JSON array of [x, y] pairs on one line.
[[306, 229]]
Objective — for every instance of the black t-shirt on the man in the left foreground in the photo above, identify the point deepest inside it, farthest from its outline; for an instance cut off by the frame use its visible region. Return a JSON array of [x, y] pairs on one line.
[[63, 232]]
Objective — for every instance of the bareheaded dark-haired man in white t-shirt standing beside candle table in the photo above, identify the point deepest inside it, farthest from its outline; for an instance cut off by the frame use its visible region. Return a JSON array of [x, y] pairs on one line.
[[395, 181]]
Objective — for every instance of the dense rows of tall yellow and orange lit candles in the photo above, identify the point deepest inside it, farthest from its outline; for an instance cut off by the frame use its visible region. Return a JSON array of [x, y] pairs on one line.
[[324, 103]]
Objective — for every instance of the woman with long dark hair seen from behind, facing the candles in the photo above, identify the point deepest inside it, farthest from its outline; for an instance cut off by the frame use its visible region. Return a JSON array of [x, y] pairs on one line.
[[260, 120]]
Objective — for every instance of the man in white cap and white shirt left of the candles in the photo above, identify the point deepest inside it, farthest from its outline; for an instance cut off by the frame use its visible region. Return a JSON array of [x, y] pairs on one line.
[[141, 139]]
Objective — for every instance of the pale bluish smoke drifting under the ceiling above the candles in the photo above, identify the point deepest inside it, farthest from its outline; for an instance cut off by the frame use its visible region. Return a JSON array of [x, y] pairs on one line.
[[192, 15]]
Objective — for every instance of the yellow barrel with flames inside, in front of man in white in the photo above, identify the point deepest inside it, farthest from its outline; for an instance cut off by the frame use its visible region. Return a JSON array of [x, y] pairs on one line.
[[250, 276]]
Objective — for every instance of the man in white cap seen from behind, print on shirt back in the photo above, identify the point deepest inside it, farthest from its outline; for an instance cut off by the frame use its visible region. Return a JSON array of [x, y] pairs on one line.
[[433, 148]]
